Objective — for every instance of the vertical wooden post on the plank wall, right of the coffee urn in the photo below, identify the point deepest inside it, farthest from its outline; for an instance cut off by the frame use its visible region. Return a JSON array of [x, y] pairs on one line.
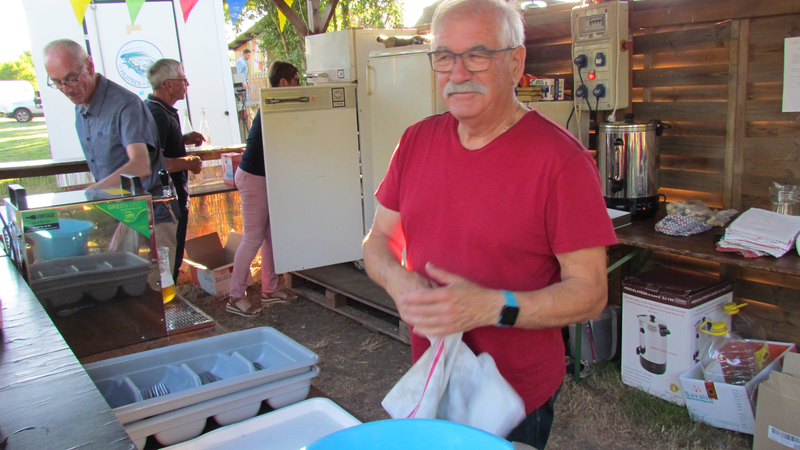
[[737, 96]]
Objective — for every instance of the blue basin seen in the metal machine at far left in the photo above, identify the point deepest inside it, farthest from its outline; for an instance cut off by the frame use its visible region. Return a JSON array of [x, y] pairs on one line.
[[70, 239]]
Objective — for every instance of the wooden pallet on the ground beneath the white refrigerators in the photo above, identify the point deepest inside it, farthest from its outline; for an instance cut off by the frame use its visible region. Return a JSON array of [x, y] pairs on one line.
[[345, 289]]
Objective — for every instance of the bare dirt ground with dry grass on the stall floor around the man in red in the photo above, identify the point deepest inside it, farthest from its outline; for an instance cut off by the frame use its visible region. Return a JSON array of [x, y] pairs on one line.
[[359, 366]]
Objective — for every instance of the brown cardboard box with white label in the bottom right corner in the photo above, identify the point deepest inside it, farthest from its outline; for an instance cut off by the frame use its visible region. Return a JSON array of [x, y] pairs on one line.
[[777, 427]]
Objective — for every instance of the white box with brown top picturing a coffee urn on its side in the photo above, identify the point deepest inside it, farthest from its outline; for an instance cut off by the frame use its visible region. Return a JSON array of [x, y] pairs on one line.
[[663, 311]]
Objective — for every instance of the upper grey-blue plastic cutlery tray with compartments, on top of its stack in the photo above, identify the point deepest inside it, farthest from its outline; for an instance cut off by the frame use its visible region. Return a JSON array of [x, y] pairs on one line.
[[237, 361]]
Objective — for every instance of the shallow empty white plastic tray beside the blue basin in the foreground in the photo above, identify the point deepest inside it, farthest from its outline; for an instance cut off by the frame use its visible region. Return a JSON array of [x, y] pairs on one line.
[[289, 428]]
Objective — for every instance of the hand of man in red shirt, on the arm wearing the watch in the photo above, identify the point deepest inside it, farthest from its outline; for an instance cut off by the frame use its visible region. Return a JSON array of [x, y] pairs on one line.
[[459, 305]]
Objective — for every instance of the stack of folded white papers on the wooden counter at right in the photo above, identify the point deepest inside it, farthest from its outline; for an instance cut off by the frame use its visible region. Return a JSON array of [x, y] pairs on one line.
[[762, 231]]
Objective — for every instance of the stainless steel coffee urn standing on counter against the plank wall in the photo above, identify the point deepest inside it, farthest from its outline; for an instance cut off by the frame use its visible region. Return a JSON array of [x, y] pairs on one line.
[[628, 158]]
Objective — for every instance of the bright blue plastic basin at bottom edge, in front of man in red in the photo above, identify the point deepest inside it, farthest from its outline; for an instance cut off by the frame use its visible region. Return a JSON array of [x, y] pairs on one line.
[[410, 434]]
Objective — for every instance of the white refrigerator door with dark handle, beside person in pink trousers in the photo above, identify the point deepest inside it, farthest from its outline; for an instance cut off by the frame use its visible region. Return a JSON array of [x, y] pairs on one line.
[[312, 173]]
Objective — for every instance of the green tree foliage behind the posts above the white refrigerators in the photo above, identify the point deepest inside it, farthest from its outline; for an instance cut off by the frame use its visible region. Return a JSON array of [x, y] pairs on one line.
[[290, 46]]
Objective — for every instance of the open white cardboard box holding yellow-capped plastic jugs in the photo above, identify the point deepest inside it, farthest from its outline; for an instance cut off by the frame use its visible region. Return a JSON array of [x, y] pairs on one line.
[[727, 405]]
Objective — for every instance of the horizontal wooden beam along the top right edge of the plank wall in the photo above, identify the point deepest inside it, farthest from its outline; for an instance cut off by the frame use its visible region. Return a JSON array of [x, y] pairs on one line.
[[712, 11]]
